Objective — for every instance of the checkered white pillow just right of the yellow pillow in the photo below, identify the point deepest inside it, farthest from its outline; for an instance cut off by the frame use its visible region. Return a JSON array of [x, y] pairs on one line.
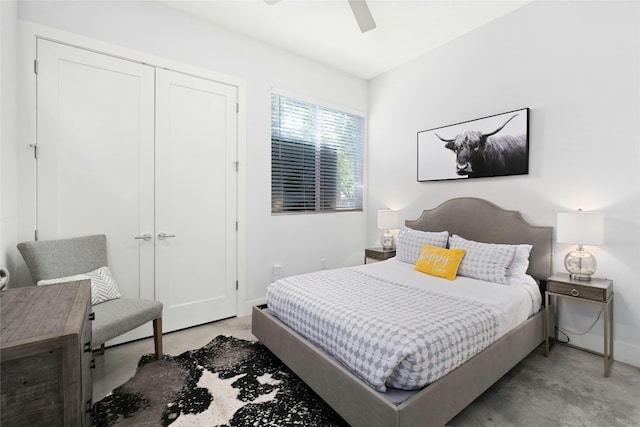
[[484, 261]]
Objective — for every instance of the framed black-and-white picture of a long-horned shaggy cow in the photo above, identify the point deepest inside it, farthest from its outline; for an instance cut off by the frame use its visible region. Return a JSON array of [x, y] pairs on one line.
[[496, 145]]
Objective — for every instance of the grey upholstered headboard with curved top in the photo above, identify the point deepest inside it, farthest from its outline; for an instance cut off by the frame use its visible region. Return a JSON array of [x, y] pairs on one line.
[[482, 221]]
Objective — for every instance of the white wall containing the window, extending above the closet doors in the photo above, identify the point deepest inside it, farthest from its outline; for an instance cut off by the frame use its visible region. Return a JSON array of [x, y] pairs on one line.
[[297, 242]]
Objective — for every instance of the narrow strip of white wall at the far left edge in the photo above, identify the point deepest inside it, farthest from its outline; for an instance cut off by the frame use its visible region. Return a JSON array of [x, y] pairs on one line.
[[8, 136]]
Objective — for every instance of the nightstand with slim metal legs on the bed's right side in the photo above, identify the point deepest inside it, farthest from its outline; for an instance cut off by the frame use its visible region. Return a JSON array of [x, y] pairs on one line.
[[595, 291]]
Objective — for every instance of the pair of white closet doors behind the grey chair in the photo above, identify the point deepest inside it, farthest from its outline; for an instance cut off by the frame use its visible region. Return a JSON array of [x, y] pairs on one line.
[[146, 156]]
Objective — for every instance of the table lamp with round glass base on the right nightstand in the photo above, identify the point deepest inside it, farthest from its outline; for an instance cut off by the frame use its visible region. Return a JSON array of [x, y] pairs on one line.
[[581, 228]]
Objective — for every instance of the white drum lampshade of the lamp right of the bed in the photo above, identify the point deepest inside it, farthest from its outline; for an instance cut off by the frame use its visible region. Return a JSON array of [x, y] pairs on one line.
[[580, 228]]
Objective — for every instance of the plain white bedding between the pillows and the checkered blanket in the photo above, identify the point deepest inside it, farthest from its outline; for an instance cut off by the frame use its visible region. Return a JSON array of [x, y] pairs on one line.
[[515, 304]]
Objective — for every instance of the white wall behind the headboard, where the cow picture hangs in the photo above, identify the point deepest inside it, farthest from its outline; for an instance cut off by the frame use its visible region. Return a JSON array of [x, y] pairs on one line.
[[576, 66]]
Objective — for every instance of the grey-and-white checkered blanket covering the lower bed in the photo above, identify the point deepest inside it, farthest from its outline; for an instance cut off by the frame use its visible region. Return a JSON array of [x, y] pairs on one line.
[[388, 334]]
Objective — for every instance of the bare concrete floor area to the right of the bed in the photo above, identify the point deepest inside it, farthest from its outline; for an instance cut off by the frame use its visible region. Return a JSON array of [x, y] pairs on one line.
[[566, 389]]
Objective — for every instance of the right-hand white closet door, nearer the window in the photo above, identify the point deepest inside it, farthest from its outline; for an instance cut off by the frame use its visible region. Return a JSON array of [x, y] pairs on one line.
[[196, 144]]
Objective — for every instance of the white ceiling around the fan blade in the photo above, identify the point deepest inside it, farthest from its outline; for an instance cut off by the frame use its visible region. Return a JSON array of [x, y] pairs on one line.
[[326, 30]]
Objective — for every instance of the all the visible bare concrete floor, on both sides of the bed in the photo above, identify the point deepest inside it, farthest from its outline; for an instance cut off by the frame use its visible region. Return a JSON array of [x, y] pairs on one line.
[[565, 389]]
